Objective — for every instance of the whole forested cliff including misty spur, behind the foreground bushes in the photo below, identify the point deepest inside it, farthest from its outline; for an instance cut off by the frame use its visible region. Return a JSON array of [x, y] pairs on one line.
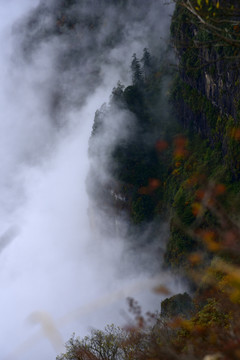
[[153, 172]]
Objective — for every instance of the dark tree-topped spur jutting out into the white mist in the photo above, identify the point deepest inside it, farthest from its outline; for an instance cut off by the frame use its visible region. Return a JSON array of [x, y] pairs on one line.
[[138, 161]]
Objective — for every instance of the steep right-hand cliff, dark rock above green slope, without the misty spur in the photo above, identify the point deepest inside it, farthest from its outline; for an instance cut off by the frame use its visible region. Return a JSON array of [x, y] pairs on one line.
[[205, 96]]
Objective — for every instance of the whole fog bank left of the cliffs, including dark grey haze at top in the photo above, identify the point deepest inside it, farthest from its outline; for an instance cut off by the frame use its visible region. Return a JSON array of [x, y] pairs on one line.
[[57, 274]]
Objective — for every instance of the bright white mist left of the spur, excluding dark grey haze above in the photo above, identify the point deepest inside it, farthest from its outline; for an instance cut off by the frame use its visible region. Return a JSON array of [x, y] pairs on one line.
[[56, 276]]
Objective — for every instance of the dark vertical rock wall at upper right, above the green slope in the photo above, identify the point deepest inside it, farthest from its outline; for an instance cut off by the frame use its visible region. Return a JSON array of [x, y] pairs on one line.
[[206, 90]]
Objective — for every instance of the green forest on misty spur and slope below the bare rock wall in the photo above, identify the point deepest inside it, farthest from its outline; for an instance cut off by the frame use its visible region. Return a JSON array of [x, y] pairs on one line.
[[161, 176]]
